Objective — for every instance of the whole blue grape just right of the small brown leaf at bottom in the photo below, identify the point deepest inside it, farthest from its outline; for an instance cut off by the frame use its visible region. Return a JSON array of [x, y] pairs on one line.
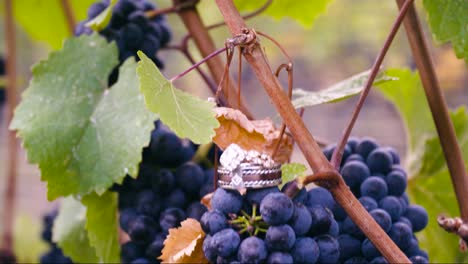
[[225, 242]]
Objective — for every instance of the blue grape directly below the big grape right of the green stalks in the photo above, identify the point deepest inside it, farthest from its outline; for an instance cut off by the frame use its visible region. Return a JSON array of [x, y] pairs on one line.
[[280, 238]]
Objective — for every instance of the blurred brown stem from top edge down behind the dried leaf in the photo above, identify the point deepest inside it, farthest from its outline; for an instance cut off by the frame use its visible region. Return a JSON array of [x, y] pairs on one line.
[[204, 43]]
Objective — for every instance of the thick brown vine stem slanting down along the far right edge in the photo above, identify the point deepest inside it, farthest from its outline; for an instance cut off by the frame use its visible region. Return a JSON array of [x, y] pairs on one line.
[[439, 109]]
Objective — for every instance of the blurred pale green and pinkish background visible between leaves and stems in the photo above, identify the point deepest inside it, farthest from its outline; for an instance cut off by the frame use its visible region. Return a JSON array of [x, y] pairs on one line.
[[342, 42]]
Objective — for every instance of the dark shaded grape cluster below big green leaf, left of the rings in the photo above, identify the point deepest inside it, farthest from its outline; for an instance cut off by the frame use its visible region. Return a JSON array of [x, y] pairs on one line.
[[168, 190]]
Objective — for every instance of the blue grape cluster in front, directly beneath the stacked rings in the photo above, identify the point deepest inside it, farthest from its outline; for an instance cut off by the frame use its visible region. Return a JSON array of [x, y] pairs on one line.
[[267, 226]]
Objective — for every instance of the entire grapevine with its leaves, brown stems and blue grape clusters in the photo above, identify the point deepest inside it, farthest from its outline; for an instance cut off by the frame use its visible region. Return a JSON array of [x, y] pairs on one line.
[[146, 172]]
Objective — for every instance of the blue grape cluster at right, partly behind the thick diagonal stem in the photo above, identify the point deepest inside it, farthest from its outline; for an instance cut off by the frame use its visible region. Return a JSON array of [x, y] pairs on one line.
[[375, 176]]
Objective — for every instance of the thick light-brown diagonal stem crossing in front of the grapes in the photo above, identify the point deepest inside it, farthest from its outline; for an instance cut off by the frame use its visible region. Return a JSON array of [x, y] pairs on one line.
[[256, 58]]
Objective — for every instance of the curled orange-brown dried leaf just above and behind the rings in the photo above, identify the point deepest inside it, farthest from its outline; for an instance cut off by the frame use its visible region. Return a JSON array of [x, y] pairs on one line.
[[259, 135]]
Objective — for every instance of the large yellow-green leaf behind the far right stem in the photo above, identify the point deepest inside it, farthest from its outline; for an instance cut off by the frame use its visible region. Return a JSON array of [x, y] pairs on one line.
[[429, 183]]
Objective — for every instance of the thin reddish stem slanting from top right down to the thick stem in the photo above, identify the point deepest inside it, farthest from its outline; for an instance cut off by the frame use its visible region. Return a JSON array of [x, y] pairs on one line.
[[338, 153]]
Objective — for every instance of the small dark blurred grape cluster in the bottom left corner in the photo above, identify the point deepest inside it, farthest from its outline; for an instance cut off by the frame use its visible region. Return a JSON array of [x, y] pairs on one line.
[[55, 254]]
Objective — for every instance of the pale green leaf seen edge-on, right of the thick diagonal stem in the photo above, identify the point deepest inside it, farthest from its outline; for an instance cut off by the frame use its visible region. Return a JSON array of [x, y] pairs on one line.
[[337, 92]]
